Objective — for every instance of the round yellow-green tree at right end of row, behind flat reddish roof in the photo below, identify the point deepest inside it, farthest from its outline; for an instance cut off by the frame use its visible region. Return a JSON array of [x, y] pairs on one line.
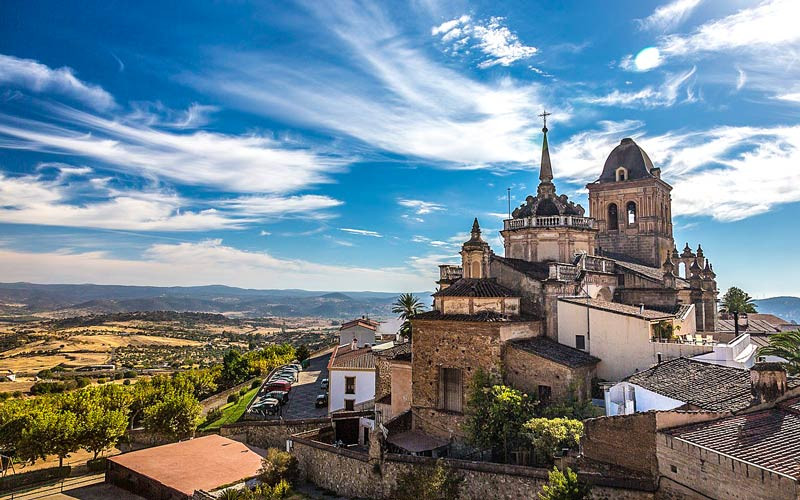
[[177, 414]]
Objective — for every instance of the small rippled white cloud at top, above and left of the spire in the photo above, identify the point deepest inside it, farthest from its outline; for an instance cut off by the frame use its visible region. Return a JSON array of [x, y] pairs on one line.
[[499, 44]]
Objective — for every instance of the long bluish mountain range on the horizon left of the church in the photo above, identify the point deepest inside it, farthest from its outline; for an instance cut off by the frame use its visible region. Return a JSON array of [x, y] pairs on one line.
[[68, 300]]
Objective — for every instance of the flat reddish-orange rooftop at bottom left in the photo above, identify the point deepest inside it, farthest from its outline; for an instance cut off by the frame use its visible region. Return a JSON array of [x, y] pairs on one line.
[[204, 463]]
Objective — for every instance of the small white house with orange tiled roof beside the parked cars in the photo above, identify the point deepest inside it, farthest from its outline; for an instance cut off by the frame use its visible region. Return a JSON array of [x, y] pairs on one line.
[[351, 374]]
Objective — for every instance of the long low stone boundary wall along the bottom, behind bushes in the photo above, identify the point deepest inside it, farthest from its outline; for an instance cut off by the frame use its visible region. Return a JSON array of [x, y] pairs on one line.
[[350, 473]]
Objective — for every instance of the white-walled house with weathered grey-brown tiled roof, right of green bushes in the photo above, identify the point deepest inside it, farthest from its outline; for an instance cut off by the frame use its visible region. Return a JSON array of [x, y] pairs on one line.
[[686, 384]]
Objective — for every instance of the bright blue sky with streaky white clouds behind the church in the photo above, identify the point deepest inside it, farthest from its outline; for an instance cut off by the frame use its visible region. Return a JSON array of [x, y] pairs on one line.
[[345, 145]]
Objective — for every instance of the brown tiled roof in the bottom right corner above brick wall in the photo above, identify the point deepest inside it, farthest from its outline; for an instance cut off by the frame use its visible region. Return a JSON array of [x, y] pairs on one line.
[[768, 438]]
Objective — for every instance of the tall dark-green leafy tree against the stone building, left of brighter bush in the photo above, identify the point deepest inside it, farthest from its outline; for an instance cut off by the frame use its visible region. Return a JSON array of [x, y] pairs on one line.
[[496, 416]]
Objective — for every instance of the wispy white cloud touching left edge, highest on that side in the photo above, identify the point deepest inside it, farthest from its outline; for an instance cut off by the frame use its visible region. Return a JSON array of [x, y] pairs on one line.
[[39, 78]]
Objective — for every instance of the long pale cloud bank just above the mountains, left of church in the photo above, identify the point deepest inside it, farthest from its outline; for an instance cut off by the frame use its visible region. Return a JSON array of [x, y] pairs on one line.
[[203, 263]]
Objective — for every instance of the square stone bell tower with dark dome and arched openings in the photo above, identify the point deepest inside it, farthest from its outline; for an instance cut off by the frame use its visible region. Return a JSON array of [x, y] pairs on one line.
[[632, 207]]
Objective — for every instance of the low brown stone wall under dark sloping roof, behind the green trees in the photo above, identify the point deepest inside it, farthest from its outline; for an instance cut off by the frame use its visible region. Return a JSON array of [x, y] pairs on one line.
[[526, 371]]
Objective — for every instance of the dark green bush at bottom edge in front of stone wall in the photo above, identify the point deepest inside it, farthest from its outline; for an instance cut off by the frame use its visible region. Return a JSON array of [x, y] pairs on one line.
[[427, 483]]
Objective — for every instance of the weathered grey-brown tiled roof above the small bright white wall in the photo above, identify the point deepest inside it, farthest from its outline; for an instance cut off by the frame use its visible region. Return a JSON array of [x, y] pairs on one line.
[[705, 385]]
